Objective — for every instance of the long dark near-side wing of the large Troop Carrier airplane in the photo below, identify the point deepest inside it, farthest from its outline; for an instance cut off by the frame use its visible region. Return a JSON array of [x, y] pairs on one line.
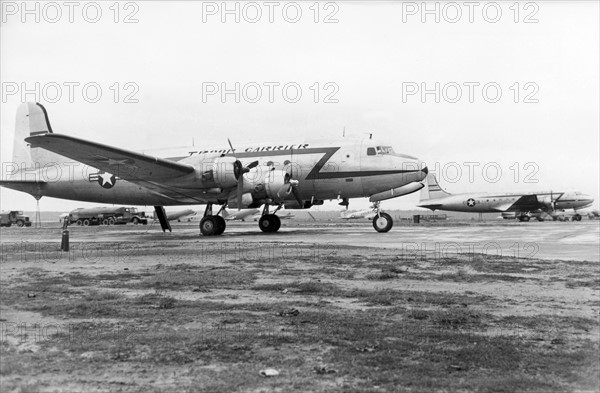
[[123, 163]]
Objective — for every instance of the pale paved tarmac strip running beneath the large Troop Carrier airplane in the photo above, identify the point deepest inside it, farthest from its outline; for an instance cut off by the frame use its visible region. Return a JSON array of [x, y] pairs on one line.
[[578, 241]]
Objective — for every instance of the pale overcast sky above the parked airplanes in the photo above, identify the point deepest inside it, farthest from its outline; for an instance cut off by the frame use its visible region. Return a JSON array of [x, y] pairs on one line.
[[373, 56]]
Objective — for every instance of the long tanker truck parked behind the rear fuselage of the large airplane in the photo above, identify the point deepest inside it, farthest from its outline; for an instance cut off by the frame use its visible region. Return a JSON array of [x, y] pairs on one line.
[[107, 216]]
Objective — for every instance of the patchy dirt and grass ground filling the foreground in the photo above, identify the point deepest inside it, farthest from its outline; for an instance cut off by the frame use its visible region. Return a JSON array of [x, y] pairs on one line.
[[129, 309]]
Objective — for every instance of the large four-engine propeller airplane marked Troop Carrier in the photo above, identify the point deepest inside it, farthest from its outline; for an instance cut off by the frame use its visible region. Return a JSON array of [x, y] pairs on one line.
[[294, 176]]
